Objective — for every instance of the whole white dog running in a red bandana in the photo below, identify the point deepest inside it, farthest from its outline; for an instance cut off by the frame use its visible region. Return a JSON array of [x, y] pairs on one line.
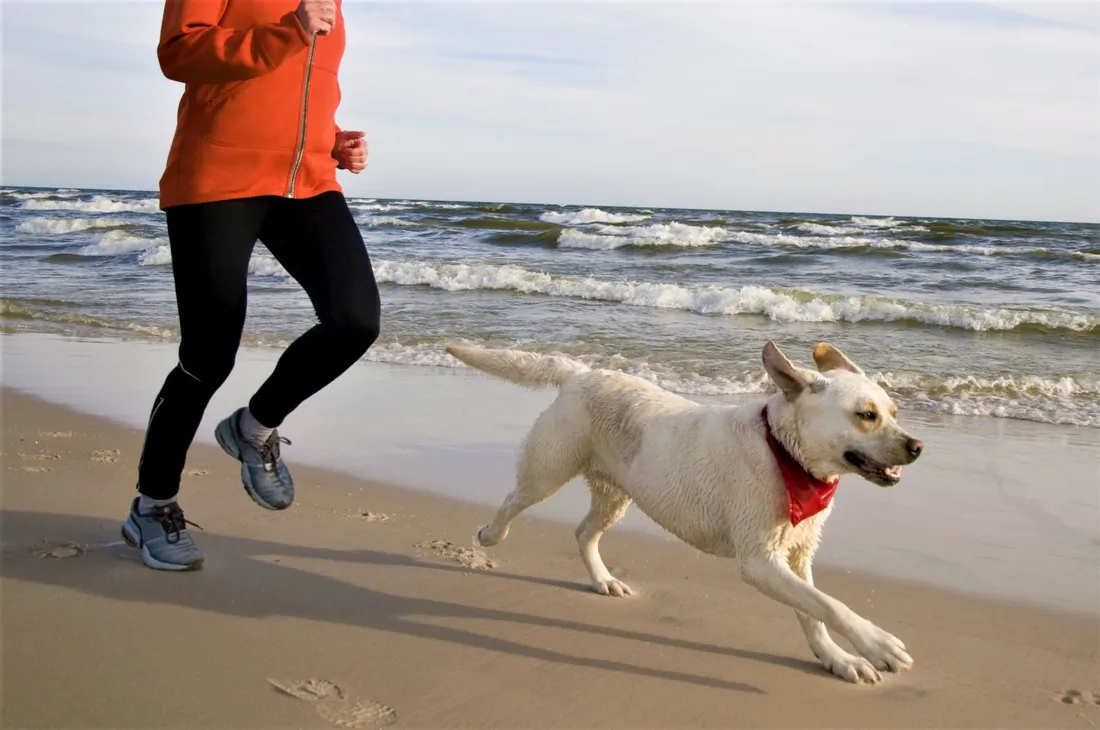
[[751, 482]]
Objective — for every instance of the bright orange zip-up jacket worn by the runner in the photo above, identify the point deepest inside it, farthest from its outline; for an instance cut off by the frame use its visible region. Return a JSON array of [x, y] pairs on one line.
[[258, 116]]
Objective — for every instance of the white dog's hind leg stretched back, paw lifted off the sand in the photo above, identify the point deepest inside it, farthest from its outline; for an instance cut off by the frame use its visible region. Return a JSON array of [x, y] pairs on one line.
[[555, 452]]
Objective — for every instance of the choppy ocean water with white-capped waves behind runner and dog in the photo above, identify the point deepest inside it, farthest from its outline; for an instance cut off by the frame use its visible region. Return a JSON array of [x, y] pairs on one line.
[[961, 317]]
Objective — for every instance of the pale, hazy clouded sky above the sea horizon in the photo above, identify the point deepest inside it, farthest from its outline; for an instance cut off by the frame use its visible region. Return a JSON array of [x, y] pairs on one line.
[[951, 109]]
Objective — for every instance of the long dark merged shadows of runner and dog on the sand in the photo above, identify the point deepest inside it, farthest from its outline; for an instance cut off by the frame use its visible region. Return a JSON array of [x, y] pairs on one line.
[[263, 589]]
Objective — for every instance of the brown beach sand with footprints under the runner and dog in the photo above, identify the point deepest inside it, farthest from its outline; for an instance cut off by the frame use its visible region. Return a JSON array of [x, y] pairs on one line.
[[368, 606]]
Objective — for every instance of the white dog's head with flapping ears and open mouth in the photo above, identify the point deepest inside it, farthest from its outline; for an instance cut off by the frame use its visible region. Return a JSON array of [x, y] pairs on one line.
[[843, 422]]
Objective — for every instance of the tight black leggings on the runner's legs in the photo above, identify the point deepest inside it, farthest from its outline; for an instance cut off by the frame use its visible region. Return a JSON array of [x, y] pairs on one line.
[[317, 242]]
